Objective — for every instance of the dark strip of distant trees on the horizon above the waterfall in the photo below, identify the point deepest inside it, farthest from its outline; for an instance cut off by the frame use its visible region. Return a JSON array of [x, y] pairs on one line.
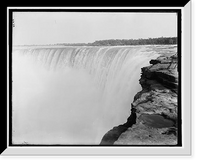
[[118, 42]]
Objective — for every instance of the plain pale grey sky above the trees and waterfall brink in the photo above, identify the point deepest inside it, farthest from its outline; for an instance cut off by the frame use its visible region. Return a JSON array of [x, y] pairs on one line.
[[86, 27]]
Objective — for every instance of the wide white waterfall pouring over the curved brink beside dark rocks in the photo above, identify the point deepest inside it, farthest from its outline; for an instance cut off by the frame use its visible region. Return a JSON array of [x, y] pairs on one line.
[[72, 95]]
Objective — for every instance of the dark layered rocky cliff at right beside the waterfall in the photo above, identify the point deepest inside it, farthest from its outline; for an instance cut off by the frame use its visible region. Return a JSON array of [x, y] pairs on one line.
[[153, 119]]
